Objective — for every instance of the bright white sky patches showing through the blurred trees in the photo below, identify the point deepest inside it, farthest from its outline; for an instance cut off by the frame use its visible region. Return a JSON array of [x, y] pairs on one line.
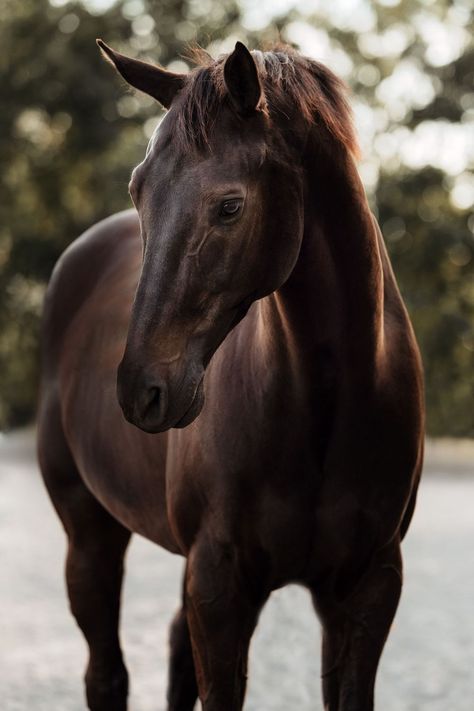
[[439, 143]]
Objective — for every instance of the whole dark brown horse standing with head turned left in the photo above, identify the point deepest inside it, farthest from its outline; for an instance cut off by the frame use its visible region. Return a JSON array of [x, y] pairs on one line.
[[268, 345]]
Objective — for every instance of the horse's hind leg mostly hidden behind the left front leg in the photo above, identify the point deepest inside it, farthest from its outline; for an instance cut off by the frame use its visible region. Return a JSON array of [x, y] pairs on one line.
[[182, 685]]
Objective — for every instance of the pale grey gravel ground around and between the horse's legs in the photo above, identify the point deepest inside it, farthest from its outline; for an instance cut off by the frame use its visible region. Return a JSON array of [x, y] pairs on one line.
[[428, 663]]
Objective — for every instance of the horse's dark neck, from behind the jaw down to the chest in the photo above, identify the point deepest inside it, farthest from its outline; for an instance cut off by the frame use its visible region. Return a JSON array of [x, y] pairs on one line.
[[332, 304]]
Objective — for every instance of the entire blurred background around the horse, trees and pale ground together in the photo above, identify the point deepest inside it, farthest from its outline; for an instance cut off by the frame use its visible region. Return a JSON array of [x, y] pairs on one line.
[[70, 134]]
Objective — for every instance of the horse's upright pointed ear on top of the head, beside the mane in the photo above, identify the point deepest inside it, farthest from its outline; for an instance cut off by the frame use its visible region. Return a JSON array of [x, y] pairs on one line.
[[242, 81]]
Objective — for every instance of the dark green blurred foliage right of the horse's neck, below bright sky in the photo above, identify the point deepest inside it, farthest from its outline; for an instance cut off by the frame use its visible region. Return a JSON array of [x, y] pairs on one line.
[[432, 257]]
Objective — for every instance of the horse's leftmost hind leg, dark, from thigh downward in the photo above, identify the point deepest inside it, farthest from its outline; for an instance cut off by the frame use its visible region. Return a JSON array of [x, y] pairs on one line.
[[94, 567]]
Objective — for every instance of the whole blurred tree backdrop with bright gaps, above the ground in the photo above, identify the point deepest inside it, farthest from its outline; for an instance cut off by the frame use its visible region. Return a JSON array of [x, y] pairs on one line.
[[70, 134]]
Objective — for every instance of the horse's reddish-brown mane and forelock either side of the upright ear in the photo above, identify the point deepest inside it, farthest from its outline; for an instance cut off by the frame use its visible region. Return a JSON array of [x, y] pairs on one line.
[[290, 81]]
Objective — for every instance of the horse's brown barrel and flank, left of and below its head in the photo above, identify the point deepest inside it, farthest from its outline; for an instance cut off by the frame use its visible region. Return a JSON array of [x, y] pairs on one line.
[[85, 323]]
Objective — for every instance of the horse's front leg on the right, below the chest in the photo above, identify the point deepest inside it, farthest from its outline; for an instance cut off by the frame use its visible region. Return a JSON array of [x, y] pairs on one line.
[[356, 629]]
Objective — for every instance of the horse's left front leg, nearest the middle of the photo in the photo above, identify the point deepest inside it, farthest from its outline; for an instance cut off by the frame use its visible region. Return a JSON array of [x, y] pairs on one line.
[[222, 613]]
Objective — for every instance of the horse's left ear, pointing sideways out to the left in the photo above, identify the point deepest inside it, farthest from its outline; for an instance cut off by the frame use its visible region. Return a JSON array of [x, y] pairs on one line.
[[150, 79]]
